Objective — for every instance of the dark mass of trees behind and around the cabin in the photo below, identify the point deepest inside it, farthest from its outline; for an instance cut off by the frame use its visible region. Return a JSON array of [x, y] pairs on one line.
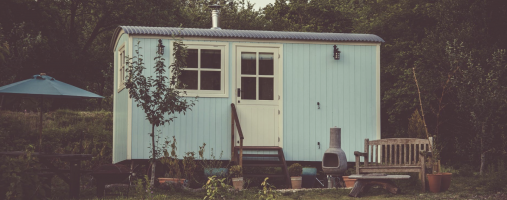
[[68, 40]]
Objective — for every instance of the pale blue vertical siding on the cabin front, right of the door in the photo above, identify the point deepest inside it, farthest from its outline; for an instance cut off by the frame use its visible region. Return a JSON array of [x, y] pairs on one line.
[[344, 88]]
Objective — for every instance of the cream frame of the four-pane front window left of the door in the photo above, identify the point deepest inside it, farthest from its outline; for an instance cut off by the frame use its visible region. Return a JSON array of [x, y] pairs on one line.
[[224, 69]]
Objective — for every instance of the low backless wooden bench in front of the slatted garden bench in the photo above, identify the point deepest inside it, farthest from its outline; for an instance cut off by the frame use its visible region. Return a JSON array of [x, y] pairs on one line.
[[365, 181]]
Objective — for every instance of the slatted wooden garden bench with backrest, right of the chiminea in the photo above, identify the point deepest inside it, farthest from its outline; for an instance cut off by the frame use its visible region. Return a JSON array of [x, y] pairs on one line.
[[394, 155]]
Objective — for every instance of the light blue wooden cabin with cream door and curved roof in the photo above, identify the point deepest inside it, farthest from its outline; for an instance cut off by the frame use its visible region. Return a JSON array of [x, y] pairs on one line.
[[287, 87]]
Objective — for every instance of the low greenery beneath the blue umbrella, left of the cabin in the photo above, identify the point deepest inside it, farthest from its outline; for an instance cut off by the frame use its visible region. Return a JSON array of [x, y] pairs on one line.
[[64, 131]]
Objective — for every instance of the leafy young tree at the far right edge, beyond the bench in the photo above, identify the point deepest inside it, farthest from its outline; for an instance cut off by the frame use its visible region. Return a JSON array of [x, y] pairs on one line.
[[481, 95]]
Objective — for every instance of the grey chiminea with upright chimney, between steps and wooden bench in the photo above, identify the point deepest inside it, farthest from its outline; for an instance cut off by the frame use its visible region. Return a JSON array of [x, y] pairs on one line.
[[334, 161]]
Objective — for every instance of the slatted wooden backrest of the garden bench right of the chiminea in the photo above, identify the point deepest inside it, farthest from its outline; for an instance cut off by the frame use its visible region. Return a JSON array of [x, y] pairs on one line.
[[395, 151]]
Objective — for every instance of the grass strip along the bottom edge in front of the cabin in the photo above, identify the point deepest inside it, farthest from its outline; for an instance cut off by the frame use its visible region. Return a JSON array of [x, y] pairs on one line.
[[461, 188]]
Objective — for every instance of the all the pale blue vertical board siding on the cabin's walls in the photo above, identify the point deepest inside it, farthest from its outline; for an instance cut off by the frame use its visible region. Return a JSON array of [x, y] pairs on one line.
[[344, 88]]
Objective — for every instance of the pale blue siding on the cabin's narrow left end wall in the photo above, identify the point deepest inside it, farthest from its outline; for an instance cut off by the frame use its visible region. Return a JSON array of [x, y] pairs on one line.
[[120, 117]]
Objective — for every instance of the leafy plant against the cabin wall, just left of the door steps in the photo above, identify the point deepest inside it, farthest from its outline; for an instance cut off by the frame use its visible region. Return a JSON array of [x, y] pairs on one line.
[[212, 167]]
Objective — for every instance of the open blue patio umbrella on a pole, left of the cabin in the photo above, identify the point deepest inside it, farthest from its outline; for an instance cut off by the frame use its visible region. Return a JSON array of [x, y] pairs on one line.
[[45, 86]]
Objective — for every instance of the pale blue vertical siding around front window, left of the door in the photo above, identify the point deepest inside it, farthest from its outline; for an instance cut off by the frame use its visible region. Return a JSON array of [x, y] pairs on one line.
[[208, 121]]
